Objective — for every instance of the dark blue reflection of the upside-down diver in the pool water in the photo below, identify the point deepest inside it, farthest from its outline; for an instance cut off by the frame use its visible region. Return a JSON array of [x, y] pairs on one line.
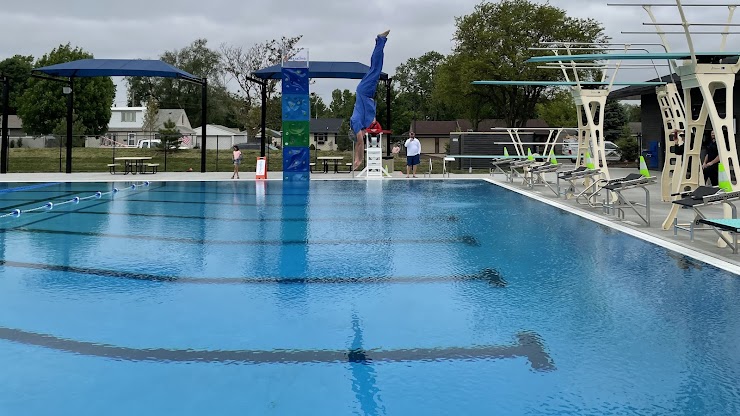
[[363, 375]]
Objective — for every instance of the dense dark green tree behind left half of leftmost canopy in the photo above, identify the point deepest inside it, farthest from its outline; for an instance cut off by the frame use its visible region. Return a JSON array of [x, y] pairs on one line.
[[43, 106]]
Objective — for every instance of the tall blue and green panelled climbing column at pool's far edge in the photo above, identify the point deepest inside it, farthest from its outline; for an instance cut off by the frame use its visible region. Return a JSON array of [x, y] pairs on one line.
[[296, 117]]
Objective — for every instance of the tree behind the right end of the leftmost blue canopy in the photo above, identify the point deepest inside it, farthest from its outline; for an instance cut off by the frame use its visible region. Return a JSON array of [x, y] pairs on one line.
[[197, 59]]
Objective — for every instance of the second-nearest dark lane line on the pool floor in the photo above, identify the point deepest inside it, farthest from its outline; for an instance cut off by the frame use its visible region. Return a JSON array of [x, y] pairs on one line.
[[489, 275]]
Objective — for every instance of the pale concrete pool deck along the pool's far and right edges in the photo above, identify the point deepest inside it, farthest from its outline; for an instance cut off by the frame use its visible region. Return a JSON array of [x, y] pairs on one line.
[[703, 248]]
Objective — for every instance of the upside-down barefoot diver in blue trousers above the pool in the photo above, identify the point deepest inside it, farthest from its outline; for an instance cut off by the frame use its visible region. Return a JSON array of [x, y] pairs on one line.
[[363, 115]]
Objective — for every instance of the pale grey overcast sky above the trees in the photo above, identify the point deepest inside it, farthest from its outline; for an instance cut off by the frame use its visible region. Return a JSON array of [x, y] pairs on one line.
[[332, 29]]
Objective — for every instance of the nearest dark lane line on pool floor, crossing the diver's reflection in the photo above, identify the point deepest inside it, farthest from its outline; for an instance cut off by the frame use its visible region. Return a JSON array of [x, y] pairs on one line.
[[528, 345]]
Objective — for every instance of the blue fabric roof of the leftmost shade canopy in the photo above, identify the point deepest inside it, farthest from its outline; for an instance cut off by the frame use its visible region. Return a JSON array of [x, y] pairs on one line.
[[117, 68]]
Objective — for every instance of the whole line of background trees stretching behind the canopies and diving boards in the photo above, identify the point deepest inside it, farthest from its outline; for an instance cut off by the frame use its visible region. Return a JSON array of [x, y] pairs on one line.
[[491, 43]]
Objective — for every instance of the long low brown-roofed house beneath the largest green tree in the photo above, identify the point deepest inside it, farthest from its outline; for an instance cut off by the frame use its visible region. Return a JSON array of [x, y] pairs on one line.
[[435, 135]]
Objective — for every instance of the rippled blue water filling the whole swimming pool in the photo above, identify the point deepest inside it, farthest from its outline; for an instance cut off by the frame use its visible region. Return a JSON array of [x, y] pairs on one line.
[[350, 298]]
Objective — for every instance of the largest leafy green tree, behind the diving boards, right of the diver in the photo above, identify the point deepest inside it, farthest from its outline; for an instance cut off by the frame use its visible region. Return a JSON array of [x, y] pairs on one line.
[[492, 43]]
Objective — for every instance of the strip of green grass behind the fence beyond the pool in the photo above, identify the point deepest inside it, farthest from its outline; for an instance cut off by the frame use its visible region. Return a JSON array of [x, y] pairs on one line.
[[25, 160]]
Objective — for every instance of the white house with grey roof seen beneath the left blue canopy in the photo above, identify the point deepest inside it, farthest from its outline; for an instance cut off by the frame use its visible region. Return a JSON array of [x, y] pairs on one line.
[[126, 126]]
